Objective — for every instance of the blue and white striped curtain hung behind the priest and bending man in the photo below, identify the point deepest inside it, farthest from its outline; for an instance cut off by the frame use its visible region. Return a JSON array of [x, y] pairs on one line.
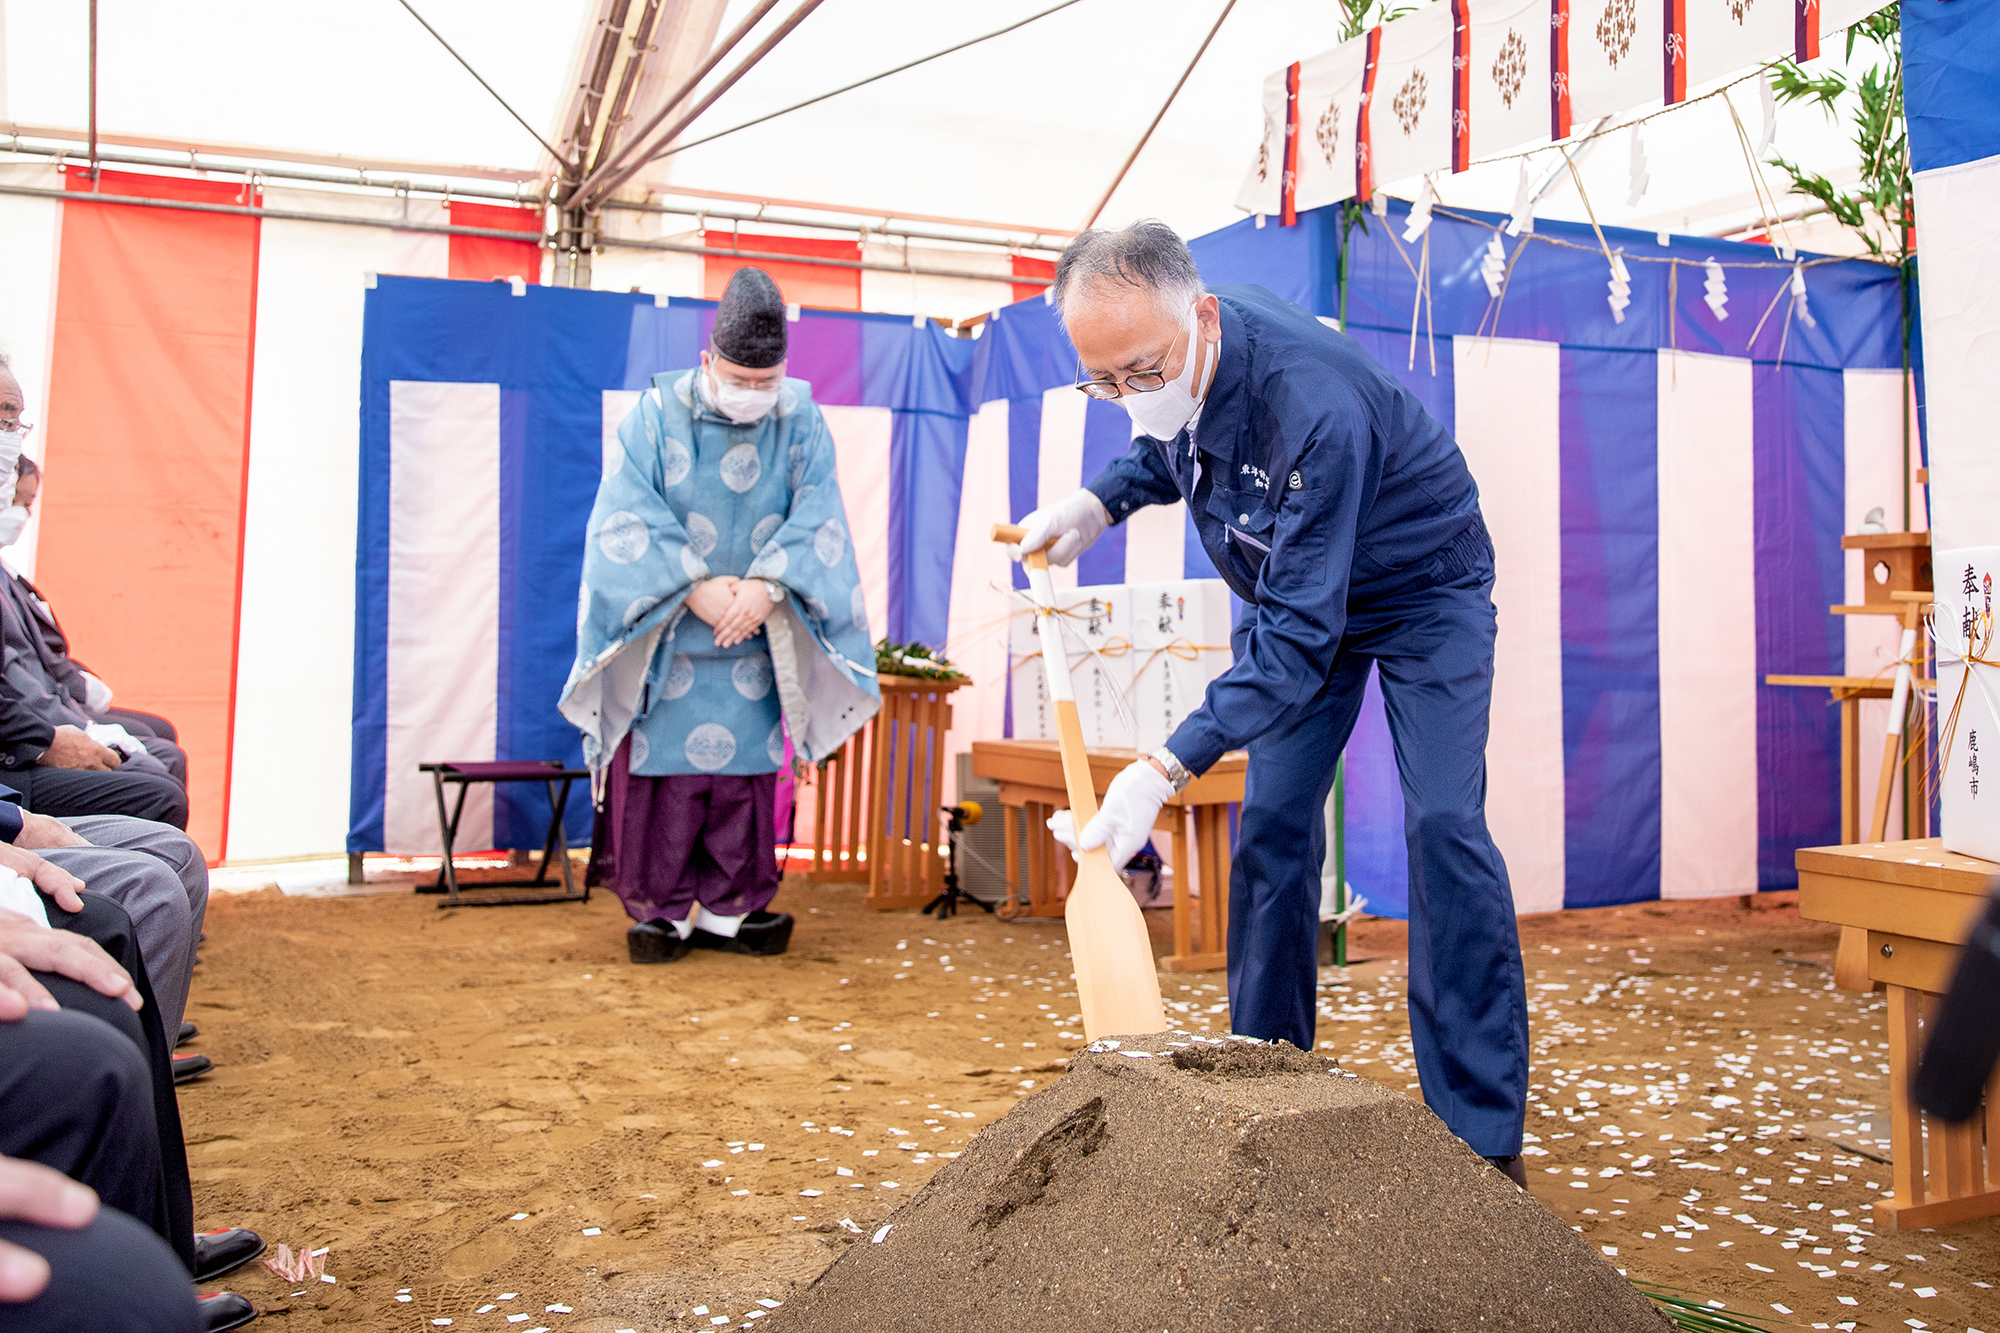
[[1667, 499]]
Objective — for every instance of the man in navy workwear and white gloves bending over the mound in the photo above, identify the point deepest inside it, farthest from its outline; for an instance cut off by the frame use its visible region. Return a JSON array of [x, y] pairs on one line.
[[1347, 521]]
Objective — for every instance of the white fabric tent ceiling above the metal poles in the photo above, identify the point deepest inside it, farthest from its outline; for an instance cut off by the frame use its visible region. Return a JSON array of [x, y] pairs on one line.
[[1025, 129]]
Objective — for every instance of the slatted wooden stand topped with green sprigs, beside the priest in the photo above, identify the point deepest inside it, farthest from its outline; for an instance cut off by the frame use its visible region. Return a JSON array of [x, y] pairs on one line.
[[907, 792]]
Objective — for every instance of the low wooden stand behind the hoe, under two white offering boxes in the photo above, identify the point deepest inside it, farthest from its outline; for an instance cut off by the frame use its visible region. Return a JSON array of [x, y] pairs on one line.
[[1199, 820]]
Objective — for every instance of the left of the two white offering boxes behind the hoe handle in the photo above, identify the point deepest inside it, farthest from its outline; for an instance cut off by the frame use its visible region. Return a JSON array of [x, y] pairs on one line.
[[1101, 674]]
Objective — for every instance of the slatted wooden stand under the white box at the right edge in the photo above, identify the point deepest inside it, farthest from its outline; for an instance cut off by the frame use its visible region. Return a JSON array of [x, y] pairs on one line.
[[1917, 904]]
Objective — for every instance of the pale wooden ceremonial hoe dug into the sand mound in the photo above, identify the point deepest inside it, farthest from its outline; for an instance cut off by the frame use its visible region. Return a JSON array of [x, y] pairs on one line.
[[1117, 984]]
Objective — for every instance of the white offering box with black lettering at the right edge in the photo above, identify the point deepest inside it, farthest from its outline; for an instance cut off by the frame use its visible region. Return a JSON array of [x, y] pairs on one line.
[[1969, 762]]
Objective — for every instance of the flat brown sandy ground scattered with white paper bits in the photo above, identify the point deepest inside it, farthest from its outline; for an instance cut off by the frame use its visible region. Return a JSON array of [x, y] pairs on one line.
[[493, 1120]]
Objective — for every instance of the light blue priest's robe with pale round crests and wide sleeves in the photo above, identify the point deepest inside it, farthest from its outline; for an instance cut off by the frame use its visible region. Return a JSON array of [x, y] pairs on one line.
[[689, 495]]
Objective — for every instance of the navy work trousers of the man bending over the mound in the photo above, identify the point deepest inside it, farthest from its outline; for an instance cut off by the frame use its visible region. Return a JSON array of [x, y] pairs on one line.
[[1469, 1008]]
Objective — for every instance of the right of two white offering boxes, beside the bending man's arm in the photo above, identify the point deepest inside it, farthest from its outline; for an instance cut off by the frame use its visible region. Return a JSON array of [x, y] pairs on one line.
[[1181, 641]]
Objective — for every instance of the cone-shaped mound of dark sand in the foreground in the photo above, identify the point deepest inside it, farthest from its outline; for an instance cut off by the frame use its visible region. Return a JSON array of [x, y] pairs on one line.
[[1195, 1186]]
